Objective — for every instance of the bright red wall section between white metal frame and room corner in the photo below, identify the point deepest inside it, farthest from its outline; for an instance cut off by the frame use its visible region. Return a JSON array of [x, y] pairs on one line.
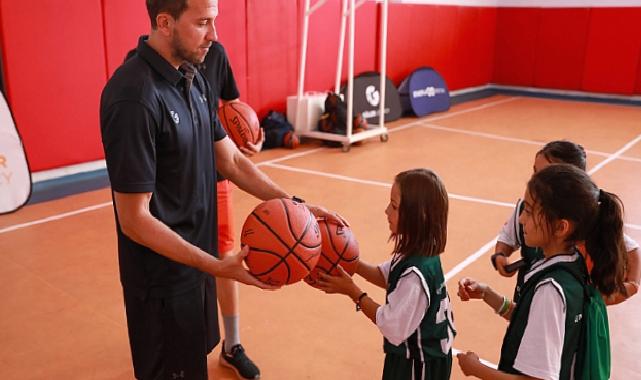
[[457, 41]]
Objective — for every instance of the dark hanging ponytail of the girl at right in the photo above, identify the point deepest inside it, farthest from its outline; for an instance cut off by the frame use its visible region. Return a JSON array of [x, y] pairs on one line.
[[605, 245]]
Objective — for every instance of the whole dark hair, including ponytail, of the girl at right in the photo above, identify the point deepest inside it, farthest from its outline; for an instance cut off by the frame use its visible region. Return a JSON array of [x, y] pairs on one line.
[[564, 192]]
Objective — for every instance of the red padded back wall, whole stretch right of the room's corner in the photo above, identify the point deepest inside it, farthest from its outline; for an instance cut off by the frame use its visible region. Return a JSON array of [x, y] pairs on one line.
[[584, 49]]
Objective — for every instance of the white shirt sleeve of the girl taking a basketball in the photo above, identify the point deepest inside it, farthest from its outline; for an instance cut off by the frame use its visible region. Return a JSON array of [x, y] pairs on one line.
[[406, 307]]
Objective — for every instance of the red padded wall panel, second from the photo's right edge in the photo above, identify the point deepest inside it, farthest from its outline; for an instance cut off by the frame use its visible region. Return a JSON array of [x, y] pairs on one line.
[[560, 48]]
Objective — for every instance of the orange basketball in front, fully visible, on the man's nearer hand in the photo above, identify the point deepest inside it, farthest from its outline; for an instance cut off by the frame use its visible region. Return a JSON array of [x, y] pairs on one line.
[[284, 241]]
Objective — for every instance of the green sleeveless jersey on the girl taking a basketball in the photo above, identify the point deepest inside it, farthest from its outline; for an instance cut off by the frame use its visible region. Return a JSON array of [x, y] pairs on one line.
[[434, 336]]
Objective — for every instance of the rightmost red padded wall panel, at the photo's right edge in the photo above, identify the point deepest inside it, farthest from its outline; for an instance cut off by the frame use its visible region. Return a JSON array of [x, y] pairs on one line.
[[613, 50]]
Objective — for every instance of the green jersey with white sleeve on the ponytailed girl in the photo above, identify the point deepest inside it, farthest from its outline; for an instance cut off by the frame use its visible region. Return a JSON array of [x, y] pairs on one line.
[[543, 336]]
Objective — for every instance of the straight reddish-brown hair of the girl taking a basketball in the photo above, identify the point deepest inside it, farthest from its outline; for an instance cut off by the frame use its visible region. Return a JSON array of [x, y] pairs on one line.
[[422, 214]]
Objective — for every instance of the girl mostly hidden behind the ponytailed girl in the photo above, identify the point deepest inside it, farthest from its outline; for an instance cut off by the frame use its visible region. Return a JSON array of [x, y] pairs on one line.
[[511, 235]]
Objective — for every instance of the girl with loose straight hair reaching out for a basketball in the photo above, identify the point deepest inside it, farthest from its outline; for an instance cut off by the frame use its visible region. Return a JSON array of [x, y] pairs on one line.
[[416, 319]]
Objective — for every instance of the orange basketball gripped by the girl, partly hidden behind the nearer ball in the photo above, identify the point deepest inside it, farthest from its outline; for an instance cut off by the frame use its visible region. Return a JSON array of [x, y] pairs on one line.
[[339, 247]]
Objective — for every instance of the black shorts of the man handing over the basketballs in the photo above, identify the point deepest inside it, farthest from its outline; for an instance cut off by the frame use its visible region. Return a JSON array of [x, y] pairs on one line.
[[171, 336]]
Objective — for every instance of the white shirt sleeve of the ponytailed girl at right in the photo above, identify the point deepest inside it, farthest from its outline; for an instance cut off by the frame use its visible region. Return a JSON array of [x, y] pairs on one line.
[[541, 348]]
